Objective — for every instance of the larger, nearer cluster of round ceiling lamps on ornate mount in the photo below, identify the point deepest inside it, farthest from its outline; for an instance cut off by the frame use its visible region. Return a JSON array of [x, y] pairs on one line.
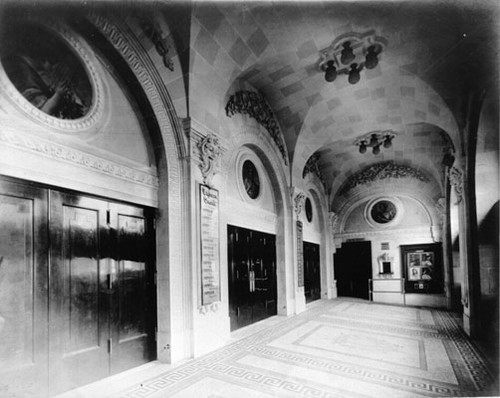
[[349, 54]]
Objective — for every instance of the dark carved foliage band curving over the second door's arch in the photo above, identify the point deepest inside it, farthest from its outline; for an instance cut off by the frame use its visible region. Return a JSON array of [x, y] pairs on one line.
[[254, 105]]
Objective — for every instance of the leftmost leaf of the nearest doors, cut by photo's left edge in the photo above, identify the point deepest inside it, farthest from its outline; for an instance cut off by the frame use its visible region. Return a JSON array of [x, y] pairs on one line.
[[23, 290]]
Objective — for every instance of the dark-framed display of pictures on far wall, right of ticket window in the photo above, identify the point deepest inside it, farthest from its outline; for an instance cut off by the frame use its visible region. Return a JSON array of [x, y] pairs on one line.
[[422, 268]]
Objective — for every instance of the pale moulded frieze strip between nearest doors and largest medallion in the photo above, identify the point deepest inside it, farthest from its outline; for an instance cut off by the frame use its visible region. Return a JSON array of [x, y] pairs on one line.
[[82, 159]]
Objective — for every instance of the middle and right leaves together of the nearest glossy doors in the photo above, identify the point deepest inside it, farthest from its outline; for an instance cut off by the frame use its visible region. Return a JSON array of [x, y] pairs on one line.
[[101, 290]]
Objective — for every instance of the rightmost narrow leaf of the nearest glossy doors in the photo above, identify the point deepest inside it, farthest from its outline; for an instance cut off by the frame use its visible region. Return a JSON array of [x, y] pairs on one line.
[[132, 322]]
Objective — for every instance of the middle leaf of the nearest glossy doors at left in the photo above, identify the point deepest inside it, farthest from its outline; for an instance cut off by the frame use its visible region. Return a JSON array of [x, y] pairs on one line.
[[78, 291]]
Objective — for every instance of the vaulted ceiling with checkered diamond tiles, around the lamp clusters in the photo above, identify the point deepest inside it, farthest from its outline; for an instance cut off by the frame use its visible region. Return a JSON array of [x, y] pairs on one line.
[[275, 47]]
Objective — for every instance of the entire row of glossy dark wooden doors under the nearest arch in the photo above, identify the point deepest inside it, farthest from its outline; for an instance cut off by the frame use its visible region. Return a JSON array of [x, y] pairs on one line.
[[77, 293]]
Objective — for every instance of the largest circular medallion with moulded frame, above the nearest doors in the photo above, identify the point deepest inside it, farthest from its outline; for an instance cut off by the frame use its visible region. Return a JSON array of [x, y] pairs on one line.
[[50, 72]]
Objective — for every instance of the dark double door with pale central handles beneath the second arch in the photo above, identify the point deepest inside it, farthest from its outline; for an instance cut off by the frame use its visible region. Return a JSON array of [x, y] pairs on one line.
[[251, 275]]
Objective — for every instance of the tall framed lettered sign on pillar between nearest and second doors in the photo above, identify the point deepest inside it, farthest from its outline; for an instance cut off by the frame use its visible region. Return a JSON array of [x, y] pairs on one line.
[[209, 232]]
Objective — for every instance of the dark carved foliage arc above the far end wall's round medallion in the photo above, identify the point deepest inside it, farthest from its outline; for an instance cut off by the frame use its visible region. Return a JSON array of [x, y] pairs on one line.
[[381, 171]]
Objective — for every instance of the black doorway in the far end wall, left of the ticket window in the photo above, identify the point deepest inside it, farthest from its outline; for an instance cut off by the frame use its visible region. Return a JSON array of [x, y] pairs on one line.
[[353, 269]]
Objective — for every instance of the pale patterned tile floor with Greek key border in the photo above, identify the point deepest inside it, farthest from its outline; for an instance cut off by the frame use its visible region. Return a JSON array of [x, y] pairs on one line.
[[338, 348]]
